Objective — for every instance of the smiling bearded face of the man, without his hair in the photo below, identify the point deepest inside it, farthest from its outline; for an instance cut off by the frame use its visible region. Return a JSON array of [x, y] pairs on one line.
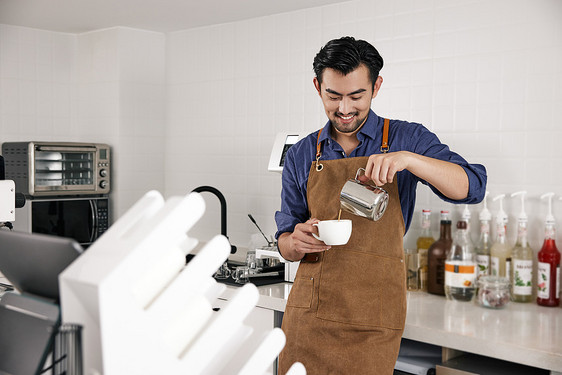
[[347, 98]]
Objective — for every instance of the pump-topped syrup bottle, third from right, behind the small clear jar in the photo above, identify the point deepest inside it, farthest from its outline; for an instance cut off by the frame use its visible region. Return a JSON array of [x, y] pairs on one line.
[[500, 252]]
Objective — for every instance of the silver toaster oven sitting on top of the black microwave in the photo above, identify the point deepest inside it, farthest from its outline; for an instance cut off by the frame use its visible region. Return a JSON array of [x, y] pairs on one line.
[[58, 168]]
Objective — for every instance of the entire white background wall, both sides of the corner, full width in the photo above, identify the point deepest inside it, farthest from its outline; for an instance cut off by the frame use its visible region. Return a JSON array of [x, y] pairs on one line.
[[485, 76]]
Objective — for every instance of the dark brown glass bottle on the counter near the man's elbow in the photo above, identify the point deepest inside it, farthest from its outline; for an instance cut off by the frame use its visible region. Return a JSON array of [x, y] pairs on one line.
[[437, 254]]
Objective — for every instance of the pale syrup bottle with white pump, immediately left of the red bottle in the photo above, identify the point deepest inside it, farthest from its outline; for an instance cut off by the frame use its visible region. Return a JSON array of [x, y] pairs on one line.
[[522, 259]]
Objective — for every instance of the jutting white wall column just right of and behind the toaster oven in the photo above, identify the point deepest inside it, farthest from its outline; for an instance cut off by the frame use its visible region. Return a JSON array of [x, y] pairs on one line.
[[121, 85]]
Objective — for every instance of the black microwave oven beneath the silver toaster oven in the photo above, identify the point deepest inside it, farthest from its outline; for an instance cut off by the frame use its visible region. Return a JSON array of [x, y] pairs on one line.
[[84, 218]]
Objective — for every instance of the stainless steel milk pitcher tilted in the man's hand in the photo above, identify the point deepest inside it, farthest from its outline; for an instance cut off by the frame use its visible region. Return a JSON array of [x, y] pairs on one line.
[[362, 199]]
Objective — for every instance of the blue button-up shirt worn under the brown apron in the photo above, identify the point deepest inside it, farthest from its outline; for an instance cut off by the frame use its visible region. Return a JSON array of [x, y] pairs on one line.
[[403, 136]]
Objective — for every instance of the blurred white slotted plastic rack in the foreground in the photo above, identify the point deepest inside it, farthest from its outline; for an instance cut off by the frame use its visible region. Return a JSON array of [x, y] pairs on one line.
[[145, 312]]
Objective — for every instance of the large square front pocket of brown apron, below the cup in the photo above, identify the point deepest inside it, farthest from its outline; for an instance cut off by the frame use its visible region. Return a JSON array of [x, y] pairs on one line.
[[363, 289]]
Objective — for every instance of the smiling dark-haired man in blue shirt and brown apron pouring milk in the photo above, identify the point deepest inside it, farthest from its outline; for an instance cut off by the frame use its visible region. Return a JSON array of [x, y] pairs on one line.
[[347, 307]]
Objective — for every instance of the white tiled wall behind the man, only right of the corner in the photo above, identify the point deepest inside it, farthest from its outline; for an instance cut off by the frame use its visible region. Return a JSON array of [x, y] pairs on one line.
[[484, 76]]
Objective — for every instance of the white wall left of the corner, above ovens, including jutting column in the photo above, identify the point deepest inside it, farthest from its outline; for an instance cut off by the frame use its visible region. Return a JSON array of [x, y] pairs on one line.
[[105, 86]]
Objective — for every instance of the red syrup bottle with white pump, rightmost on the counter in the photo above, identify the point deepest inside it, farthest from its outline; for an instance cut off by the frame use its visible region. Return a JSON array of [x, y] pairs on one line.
[[548, 275]]
